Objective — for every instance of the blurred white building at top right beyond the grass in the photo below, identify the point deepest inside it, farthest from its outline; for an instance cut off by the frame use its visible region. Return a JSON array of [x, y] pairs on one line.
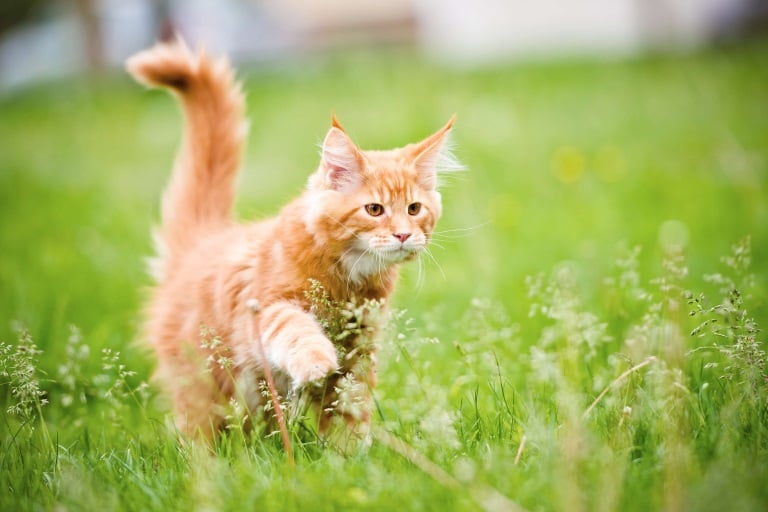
[[487, 30]]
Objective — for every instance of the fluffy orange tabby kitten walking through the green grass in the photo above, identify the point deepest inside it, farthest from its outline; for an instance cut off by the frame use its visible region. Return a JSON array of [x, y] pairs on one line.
[[363, 213]]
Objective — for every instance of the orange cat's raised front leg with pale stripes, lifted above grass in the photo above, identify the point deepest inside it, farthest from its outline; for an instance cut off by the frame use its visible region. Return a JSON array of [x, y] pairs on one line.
[[295, 343]]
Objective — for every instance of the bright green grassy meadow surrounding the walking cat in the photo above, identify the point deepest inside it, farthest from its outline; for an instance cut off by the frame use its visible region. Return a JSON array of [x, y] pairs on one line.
[[589, 341]]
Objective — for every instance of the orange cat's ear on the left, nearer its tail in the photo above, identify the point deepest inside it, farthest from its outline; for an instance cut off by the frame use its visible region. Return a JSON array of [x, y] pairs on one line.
[[342, 162]]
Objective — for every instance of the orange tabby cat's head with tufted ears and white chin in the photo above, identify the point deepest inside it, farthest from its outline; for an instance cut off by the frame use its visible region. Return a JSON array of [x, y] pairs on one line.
[[376, 208]]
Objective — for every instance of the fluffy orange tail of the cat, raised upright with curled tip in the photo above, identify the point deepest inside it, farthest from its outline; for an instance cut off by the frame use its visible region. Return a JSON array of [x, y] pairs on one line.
[[201, 191]]
